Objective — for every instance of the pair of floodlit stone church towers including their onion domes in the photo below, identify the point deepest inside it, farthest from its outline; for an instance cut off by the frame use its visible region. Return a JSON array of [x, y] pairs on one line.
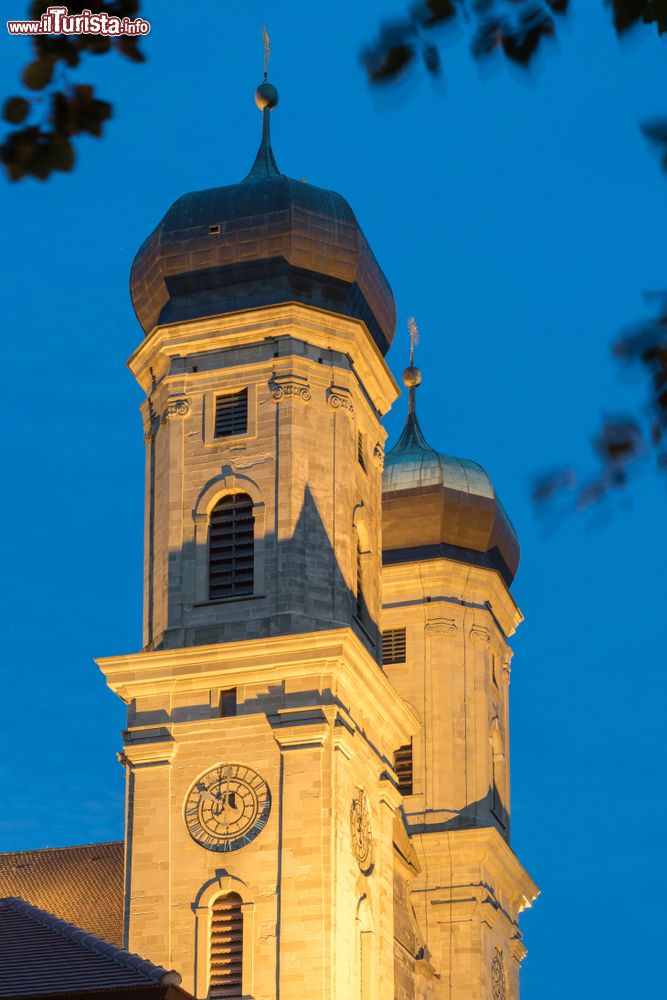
[[316, 751]]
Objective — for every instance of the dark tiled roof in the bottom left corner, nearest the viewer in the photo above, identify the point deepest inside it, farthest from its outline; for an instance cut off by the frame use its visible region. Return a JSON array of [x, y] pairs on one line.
[[42, 955]]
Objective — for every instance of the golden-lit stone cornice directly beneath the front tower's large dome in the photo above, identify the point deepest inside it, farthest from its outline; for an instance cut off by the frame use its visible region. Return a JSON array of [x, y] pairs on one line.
[[314, 326]]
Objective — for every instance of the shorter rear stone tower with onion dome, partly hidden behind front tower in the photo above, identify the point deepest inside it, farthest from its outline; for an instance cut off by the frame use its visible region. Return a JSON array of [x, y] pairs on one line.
[[450, 555]]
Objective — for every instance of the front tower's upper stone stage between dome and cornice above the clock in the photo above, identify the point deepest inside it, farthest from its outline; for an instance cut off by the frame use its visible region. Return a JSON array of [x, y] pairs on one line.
[[315, 383]]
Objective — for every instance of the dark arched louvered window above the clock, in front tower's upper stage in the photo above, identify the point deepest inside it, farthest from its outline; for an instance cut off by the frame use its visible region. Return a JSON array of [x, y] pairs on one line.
[[231, 545]]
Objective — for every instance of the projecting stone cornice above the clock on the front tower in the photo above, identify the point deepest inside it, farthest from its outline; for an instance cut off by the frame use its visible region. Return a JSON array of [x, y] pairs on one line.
[[336, 653]]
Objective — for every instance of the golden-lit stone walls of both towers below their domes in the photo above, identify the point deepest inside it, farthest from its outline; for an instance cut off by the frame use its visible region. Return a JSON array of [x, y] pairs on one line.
[[347, 889]]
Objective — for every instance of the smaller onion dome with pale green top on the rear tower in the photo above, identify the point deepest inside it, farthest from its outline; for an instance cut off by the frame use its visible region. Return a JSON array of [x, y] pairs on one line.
[[436, 505]]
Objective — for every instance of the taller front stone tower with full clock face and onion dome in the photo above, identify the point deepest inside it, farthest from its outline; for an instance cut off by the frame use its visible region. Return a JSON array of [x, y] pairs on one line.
[[261, 804]]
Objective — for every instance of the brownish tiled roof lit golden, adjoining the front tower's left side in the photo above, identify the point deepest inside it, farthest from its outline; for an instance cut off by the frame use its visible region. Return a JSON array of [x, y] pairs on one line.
[[81, 885]]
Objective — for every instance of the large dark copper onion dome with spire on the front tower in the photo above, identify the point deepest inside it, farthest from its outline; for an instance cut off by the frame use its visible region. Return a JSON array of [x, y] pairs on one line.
[[265, 241]]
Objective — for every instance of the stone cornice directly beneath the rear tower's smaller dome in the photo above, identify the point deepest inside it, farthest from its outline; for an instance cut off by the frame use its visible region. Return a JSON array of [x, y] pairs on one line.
[[447, 581]]
